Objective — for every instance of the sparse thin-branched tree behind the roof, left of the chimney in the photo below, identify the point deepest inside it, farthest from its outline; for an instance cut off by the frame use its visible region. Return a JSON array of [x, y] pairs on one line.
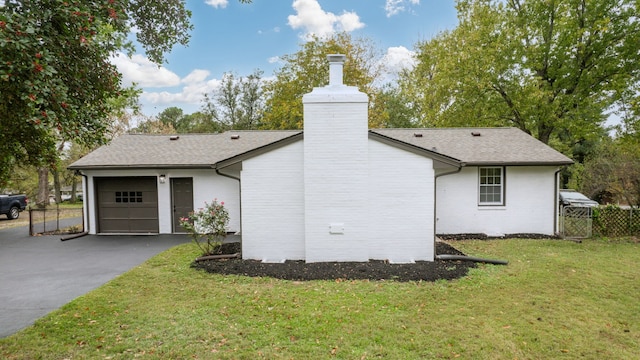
[[237, 104]]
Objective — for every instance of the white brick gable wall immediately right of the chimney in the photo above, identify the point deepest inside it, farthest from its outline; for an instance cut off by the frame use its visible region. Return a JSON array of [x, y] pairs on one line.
[[400, 205]]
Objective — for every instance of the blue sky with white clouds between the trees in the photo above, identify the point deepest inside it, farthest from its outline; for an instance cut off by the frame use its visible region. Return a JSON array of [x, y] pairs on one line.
[[240, 38]]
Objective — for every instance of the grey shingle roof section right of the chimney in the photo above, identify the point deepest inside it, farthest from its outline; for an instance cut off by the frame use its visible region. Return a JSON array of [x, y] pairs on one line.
[[481, 146]]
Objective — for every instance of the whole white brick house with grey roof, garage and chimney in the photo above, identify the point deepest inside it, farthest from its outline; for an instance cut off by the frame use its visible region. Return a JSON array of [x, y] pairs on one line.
[[335, 192]]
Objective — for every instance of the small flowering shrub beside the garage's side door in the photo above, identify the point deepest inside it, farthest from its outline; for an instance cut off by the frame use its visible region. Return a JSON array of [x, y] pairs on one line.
[[207, 227]]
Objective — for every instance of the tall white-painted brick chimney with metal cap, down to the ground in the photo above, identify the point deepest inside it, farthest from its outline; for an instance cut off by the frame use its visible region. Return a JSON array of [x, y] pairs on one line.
[[336, 169]]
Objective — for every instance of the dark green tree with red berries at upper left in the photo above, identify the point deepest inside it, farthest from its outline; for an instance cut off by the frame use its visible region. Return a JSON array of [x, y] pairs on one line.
[[56, 78]]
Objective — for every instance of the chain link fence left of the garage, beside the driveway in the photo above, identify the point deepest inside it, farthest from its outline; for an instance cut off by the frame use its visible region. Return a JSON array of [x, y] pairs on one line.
[[55, 220]]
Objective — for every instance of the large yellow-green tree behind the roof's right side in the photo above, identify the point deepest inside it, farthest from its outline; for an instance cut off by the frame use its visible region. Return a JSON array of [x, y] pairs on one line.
[[543, 66]]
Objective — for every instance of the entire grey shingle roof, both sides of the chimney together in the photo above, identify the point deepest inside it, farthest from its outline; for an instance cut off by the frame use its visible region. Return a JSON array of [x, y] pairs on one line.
[[493, 146]]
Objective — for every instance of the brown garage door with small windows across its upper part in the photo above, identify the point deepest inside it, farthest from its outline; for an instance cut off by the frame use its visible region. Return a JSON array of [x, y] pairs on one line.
[[127, 204]]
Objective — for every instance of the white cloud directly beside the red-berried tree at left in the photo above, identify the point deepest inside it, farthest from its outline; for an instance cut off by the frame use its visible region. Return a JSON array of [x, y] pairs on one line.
[[140, 70]]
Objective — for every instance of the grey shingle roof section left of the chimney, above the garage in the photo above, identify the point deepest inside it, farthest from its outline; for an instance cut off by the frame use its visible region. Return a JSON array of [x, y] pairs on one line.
[[187, 151]]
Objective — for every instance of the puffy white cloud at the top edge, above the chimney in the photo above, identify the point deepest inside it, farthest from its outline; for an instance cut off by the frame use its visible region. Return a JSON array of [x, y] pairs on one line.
[[313, 20]]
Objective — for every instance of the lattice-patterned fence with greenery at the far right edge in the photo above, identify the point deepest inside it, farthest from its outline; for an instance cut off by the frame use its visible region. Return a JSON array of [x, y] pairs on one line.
[[614, 221]]
